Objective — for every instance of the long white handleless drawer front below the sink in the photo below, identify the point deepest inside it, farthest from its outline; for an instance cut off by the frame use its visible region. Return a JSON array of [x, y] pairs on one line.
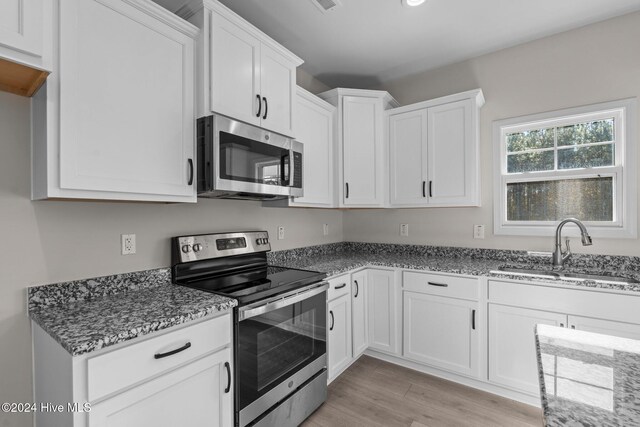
[[599, 304]]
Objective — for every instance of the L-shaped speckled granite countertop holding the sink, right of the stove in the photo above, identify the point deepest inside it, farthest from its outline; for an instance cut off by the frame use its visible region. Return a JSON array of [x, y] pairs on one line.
[[338, 258]]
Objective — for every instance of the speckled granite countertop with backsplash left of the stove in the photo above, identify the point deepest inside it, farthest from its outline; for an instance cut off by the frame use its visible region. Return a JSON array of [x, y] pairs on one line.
[[87, 315]]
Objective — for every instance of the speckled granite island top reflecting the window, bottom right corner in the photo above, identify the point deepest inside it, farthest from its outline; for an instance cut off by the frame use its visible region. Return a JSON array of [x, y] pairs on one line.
[[588, 379]]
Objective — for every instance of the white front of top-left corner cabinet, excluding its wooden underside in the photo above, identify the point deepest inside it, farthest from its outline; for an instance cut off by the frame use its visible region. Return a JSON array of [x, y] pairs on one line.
[[23, 24]]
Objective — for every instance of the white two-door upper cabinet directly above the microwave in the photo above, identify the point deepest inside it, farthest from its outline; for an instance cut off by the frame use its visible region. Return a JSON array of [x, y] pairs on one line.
[[242, 73]]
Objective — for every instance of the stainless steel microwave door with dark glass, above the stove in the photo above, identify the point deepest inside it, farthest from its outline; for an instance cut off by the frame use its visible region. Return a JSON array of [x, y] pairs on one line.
[[251, 160]]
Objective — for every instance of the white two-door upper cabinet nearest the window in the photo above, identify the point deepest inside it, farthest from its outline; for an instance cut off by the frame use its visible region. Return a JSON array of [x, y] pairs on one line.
[[434, 152]]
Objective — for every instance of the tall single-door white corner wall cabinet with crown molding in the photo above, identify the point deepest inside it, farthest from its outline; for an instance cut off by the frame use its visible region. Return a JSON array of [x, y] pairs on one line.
[[362, 167]]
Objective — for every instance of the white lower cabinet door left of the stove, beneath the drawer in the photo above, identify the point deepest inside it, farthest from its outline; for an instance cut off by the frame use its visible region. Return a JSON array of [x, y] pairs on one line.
[[197, 394]]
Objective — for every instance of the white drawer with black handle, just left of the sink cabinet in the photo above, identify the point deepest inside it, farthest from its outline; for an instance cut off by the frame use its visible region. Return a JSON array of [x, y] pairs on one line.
[[437, 284]]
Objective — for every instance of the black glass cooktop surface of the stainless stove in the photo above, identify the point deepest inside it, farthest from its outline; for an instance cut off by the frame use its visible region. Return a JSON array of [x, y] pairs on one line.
[[256, 284]]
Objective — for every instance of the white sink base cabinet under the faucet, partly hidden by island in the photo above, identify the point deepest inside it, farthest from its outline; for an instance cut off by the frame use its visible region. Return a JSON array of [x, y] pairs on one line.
[[516, 308]]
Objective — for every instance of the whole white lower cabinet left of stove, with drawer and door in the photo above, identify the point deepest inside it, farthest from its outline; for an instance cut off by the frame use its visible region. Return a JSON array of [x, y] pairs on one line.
[[129, 385]]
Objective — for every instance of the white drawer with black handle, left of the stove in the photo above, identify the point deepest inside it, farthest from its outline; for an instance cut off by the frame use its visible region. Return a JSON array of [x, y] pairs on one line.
[[126, 366]]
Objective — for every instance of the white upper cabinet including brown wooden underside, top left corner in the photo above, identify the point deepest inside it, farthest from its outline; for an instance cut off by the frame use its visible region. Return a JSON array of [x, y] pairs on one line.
[[25, 56]]
